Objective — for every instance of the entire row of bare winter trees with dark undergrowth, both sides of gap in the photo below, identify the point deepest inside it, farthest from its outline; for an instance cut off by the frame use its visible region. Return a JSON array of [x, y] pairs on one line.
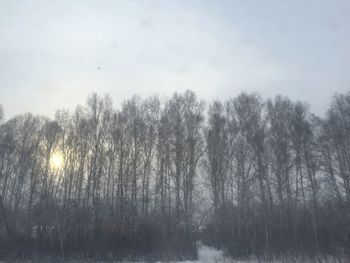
[[147, 180]]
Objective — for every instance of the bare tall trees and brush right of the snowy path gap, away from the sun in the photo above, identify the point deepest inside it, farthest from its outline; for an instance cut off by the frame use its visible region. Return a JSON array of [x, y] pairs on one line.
[[279, 176]]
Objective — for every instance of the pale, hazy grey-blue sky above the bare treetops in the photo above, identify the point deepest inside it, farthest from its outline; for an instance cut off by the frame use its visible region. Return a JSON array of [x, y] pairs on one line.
[[53, 54]]
